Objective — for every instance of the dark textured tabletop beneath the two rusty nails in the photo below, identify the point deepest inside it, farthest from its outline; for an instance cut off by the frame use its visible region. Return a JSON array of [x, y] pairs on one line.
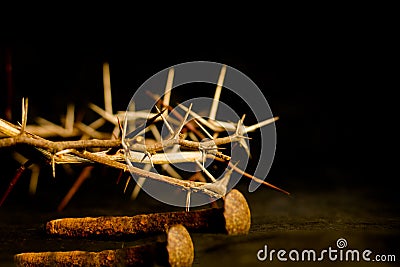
[[306, 220]]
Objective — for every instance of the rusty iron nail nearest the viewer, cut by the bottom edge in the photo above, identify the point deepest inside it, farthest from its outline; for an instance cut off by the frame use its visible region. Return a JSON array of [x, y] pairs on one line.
[[178, 250]]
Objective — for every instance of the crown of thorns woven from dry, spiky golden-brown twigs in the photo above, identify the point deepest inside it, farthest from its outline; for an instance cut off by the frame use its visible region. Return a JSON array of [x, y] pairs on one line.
[[123, 145]]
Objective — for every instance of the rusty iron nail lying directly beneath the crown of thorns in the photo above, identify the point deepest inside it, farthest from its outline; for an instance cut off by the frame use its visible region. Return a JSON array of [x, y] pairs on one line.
[[233, 219]]
